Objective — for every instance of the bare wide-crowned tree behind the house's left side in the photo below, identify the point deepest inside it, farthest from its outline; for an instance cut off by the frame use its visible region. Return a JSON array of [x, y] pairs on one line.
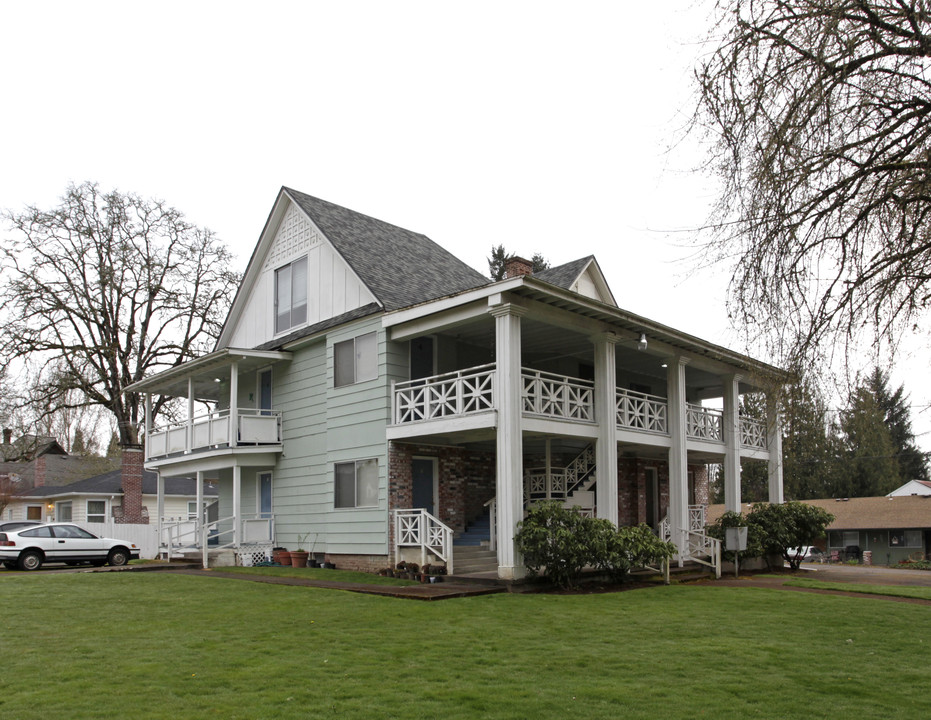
[[105, 288]]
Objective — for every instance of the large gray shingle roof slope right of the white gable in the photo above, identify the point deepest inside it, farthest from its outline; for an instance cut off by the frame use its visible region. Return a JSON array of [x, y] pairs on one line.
[[402, 268]]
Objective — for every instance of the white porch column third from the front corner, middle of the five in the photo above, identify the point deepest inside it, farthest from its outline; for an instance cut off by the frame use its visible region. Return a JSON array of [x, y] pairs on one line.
[[678, 454]]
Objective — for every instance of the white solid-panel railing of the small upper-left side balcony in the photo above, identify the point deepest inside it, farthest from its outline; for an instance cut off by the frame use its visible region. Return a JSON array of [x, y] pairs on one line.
[[252, 427]]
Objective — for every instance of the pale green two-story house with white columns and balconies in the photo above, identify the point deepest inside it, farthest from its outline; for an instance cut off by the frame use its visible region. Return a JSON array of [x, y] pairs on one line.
[[372, 392]]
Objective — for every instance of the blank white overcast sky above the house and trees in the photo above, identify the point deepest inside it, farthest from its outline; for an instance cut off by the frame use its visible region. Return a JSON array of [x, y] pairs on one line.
[[547, 127]]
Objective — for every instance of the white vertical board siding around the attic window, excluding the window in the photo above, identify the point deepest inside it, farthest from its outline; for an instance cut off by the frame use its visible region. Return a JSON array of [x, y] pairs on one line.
[[332, 287]]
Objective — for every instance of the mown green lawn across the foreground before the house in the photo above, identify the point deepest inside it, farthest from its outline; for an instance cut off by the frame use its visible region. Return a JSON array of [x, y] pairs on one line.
[[152, 645]]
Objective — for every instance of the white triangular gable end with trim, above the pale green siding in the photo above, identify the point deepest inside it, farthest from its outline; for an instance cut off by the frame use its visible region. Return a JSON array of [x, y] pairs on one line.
[[328, 284]]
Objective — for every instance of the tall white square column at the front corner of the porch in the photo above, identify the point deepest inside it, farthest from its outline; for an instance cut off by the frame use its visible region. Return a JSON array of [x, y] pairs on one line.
[[510, 447]]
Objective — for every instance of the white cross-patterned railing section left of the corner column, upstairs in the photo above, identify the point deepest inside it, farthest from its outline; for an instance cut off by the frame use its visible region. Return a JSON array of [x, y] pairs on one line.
[[457, 393]]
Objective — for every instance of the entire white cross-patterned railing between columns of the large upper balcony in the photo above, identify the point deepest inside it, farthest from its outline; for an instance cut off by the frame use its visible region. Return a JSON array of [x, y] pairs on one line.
[[469, 393]]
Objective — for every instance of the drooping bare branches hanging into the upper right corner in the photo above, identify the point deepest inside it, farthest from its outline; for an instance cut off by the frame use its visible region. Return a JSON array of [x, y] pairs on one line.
[[820, 116]]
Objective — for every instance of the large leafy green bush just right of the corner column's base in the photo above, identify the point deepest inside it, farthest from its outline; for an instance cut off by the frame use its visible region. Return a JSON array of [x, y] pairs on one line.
[[560, 542]]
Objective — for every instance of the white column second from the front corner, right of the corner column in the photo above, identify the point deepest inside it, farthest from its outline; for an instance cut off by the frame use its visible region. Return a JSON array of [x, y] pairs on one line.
[[606, 417]]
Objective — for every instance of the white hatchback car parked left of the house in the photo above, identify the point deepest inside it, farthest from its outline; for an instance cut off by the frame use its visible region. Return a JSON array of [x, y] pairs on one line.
[[29, 547]]
